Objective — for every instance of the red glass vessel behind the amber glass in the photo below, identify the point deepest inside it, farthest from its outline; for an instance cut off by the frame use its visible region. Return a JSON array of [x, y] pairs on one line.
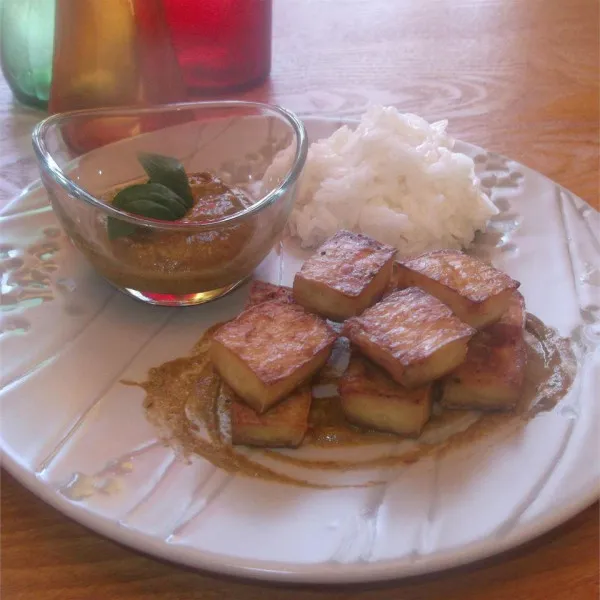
[[221, 45]]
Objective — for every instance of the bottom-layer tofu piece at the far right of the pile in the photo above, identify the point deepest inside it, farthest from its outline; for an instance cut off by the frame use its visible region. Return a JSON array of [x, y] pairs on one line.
[[492, 376]]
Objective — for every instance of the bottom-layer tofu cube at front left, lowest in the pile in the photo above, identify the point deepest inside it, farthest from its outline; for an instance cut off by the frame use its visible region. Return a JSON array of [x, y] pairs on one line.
[[283, 426]]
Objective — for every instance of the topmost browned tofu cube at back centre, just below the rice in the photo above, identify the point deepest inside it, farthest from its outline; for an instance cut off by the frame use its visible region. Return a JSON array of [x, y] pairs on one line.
[[347, 274]]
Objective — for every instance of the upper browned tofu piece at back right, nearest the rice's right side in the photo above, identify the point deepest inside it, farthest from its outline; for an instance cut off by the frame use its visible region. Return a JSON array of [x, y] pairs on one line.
[[476, 292]]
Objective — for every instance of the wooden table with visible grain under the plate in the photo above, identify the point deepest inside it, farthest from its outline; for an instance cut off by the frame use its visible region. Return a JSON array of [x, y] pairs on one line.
[[518, 77]]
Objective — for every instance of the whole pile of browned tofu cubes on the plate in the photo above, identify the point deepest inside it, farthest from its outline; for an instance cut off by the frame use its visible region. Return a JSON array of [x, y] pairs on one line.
[[444, 322]]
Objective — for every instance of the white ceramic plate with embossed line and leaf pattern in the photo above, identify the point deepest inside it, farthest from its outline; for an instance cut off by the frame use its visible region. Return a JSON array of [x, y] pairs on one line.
[[78, 438]]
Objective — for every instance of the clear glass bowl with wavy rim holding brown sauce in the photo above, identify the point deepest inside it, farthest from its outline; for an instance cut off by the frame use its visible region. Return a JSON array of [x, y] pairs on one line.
[[85, 155]]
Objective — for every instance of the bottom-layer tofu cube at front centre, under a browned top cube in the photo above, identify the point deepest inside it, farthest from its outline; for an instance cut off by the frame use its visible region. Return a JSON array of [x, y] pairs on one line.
[[371, 398]]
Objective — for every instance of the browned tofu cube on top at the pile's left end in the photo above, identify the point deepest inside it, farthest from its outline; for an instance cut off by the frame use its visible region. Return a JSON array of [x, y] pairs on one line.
[[269, 350]]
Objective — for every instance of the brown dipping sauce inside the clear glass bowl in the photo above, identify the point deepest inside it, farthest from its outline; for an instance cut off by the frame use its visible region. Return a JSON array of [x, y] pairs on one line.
[[181, 262]]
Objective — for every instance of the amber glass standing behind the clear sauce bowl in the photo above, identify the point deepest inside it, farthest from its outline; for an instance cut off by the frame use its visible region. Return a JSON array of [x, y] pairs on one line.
[[112, 53]]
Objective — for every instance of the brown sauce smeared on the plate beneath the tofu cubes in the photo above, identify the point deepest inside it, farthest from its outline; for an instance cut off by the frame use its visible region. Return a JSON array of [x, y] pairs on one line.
[[187, 403]]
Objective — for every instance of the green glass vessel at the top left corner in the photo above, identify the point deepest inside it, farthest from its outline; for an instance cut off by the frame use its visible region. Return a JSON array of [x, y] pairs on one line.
[[26, 44]]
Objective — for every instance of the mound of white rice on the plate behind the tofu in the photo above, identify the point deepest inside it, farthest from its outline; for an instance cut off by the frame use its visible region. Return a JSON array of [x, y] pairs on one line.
[[394, 178]]
